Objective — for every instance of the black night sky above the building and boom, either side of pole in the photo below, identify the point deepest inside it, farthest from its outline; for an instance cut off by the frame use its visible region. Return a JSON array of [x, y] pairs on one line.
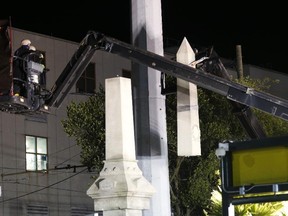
[[260, 30]]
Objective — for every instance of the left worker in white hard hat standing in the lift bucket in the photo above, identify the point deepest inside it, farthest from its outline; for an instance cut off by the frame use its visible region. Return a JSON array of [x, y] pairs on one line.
[[19, 74]]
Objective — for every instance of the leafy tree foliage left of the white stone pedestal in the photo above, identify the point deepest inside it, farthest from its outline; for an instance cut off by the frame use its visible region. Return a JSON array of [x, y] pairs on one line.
[[86, 122]]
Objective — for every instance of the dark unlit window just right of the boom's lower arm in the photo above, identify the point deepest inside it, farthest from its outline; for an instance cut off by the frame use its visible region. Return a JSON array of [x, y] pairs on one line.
[[87, 82]]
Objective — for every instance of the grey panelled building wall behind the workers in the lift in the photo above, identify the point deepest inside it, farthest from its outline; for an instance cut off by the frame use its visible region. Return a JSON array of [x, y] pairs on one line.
[[40, 165]]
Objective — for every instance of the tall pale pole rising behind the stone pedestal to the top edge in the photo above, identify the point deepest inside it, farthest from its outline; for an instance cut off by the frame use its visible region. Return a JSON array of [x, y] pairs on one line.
[[149, 105]]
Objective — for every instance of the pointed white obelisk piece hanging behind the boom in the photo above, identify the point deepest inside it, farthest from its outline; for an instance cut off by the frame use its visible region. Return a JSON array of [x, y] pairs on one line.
[[188, 129]]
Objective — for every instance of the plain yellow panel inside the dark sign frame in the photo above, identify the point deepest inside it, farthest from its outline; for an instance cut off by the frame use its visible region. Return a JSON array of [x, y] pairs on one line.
[[260, 166]]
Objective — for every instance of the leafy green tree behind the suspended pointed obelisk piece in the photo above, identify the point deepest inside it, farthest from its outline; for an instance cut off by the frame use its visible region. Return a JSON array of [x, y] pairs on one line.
[[192, 179]]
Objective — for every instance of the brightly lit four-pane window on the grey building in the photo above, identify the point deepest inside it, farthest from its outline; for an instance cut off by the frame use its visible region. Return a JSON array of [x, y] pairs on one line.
[[36, 153]]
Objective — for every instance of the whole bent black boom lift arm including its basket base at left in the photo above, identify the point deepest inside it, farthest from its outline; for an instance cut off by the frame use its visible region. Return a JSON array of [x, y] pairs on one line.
[[93, 41]]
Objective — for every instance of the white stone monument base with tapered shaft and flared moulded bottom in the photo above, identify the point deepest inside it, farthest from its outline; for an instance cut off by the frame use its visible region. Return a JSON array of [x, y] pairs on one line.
[[121, 189]]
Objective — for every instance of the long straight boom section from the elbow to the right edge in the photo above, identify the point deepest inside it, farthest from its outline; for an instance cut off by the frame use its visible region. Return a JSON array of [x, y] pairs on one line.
[[233, 91]]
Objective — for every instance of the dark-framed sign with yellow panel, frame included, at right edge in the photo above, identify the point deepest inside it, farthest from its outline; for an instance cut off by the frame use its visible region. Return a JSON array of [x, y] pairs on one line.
[[254, 166]]
